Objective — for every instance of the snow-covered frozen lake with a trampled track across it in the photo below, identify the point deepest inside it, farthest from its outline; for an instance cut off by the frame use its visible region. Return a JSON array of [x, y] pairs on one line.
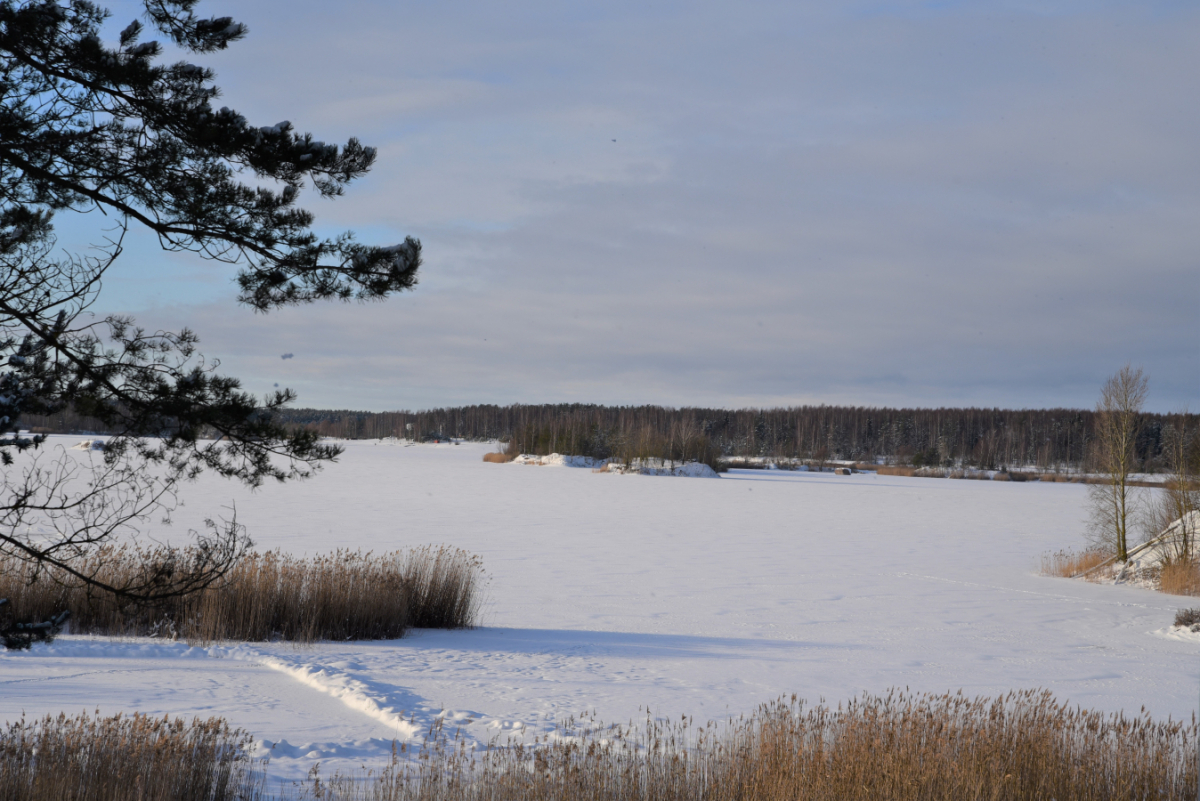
[[616, 593]]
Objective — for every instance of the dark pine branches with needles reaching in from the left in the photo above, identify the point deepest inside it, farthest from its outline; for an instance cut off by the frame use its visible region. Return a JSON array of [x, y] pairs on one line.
[[86, 128]]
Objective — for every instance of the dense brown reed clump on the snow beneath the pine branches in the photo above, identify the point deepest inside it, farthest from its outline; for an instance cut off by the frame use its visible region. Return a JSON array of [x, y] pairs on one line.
[[268, 597]]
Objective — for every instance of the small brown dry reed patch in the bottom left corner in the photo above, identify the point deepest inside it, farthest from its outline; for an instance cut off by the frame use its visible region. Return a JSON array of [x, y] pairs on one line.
[[121, 758]]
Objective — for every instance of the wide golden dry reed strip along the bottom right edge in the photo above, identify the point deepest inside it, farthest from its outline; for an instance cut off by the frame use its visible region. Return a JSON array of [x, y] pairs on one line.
[[897, 748]]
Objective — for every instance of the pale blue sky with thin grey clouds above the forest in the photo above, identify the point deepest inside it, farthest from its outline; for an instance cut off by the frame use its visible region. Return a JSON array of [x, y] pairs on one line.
[[753, 204]]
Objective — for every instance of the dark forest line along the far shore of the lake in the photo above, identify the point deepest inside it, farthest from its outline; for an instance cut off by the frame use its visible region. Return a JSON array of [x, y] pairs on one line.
[[987, 438]]
